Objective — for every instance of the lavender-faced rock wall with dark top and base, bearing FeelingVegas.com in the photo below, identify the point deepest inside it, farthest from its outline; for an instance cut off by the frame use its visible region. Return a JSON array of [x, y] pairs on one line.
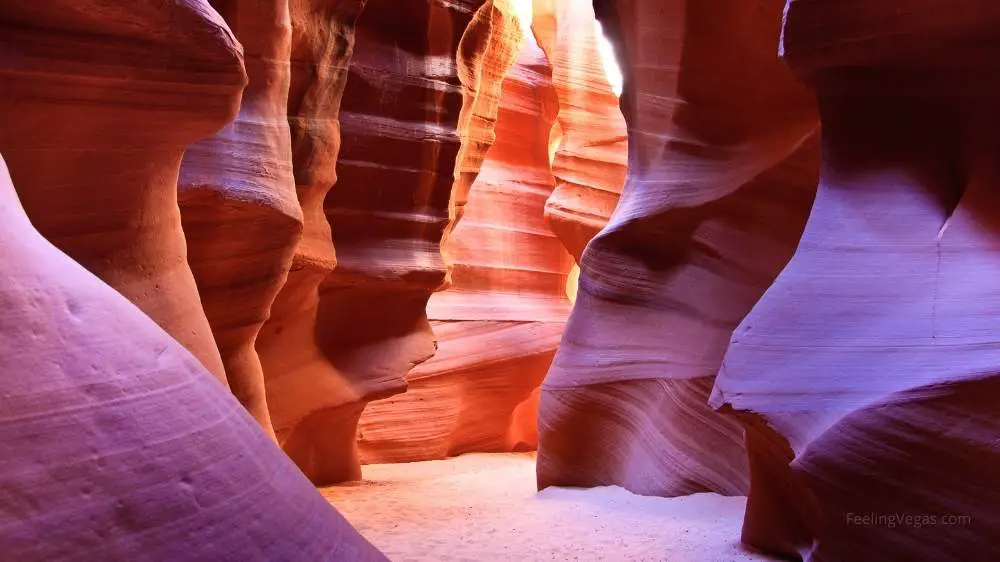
[[866, 377]]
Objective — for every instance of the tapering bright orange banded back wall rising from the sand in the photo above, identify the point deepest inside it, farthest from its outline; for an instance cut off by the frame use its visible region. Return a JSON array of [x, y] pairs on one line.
[[499, 322]]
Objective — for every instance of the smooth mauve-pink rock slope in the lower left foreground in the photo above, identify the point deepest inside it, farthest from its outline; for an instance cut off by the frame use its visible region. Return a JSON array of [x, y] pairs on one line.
[[119, 445]]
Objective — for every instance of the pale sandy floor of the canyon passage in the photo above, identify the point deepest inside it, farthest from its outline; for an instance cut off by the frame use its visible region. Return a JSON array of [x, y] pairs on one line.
[[484, 508]]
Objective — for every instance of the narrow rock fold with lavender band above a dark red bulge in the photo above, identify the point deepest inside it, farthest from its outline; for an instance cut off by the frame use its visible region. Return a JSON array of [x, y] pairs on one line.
[[237, 196]]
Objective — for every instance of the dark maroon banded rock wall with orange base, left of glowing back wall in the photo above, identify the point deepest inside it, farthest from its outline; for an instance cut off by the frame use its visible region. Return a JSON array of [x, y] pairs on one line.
[[338, 340]]
